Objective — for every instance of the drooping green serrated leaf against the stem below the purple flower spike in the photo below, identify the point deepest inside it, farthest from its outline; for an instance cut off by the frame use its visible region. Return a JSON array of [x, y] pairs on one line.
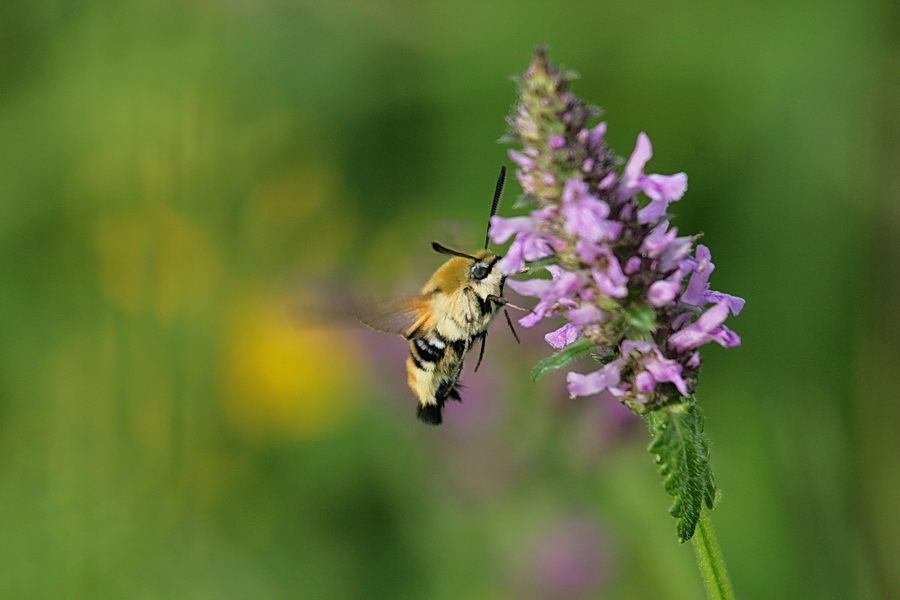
[[682, 453]]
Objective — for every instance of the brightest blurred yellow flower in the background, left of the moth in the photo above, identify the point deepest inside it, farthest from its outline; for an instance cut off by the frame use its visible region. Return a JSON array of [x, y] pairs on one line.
[[284, 380]]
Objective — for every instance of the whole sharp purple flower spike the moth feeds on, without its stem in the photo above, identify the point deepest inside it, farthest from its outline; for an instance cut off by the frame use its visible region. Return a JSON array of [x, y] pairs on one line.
[[619, 274]]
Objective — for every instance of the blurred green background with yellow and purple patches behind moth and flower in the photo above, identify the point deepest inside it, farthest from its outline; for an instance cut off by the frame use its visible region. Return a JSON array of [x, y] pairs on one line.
[[171, 172]]
